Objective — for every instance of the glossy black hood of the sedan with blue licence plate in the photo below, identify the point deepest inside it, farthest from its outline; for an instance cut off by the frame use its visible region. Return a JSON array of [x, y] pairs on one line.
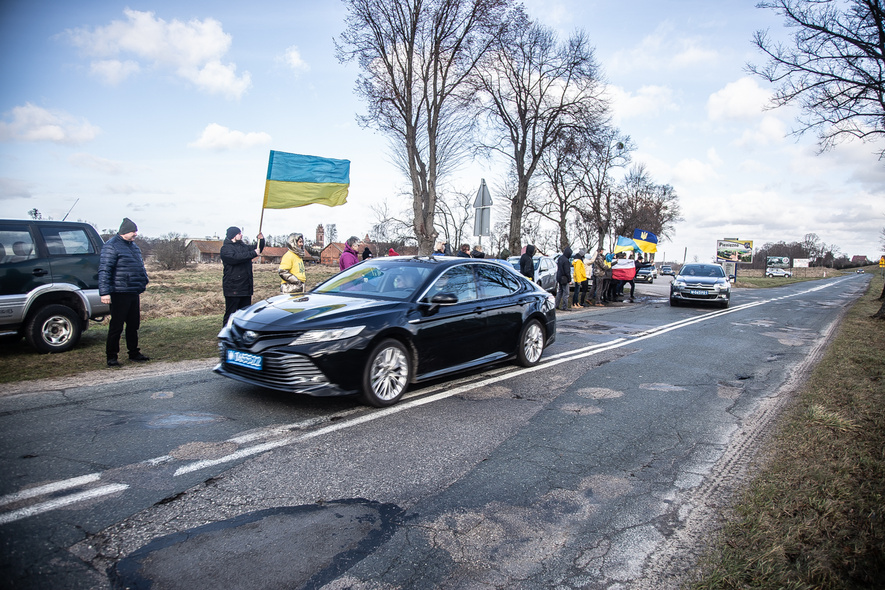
[[298, 312]]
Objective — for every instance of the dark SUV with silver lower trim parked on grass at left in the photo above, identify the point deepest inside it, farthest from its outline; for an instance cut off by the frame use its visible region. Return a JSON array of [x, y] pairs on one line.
[[49, 282]]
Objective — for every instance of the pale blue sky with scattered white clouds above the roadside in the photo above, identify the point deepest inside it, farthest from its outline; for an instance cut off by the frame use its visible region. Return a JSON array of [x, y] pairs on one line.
[[165, 112]]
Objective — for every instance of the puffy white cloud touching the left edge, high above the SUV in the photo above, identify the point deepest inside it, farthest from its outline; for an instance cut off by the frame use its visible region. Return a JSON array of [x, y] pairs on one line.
[[33, 123]]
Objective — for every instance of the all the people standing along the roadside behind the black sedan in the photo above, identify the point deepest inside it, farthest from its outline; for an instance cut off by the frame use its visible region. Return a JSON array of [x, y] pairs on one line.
[[598, 278]]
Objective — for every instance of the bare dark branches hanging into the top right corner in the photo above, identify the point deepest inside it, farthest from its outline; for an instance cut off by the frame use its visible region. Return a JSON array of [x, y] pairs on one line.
[[834, 69]]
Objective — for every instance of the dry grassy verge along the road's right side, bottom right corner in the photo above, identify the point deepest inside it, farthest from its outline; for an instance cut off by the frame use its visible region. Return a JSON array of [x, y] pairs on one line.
[[813, 517]]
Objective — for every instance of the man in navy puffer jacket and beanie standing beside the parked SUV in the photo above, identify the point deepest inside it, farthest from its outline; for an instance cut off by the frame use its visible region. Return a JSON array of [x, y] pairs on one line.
[[122, 278]]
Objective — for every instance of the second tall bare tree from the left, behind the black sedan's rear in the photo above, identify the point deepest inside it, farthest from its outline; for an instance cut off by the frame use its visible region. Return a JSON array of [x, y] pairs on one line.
[[533, 90]]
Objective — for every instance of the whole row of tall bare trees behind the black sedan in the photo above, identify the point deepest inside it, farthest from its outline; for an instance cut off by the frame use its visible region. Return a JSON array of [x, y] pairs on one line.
[[449, 79]]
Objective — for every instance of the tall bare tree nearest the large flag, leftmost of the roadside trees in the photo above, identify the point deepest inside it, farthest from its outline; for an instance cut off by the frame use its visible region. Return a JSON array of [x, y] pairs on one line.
[[415, 56]]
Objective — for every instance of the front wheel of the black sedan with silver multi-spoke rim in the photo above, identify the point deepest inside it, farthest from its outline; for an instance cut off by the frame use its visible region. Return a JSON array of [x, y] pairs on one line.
[[387, 374]]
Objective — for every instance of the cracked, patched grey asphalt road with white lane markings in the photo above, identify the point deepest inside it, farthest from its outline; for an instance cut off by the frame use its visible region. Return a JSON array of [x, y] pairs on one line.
[[605, 466]]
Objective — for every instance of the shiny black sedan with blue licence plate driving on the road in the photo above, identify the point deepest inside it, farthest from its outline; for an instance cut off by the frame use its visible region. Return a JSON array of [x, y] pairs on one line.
[[387, 322]]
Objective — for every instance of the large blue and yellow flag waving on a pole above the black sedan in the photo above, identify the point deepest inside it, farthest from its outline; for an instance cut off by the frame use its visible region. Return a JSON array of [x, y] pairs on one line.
[[294, 180]]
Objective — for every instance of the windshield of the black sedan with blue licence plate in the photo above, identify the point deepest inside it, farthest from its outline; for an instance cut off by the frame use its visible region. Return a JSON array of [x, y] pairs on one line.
[[392, 281]]
